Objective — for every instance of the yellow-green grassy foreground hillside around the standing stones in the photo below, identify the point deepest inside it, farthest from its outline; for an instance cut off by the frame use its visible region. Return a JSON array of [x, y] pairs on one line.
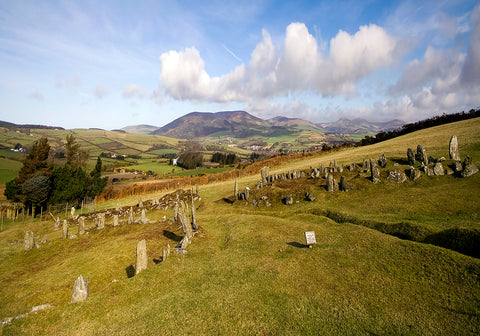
[[248, 273]]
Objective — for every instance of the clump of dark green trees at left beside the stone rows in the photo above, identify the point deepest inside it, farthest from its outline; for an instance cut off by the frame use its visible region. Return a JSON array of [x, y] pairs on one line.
[[41, 183]]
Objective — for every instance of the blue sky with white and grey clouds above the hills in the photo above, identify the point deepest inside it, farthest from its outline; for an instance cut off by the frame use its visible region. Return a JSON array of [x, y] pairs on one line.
[[109, 64]]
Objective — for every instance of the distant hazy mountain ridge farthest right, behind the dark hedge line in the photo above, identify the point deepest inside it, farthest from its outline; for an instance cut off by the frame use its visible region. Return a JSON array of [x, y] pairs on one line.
[[360, 126]]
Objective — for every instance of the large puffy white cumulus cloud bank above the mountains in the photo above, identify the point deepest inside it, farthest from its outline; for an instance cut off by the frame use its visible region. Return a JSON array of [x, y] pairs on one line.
[[300, 67]]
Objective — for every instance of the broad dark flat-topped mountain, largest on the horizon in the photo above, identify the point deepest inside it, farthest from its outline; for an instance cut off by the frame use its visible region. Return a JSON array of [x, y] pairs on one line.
[[238, 124]]
